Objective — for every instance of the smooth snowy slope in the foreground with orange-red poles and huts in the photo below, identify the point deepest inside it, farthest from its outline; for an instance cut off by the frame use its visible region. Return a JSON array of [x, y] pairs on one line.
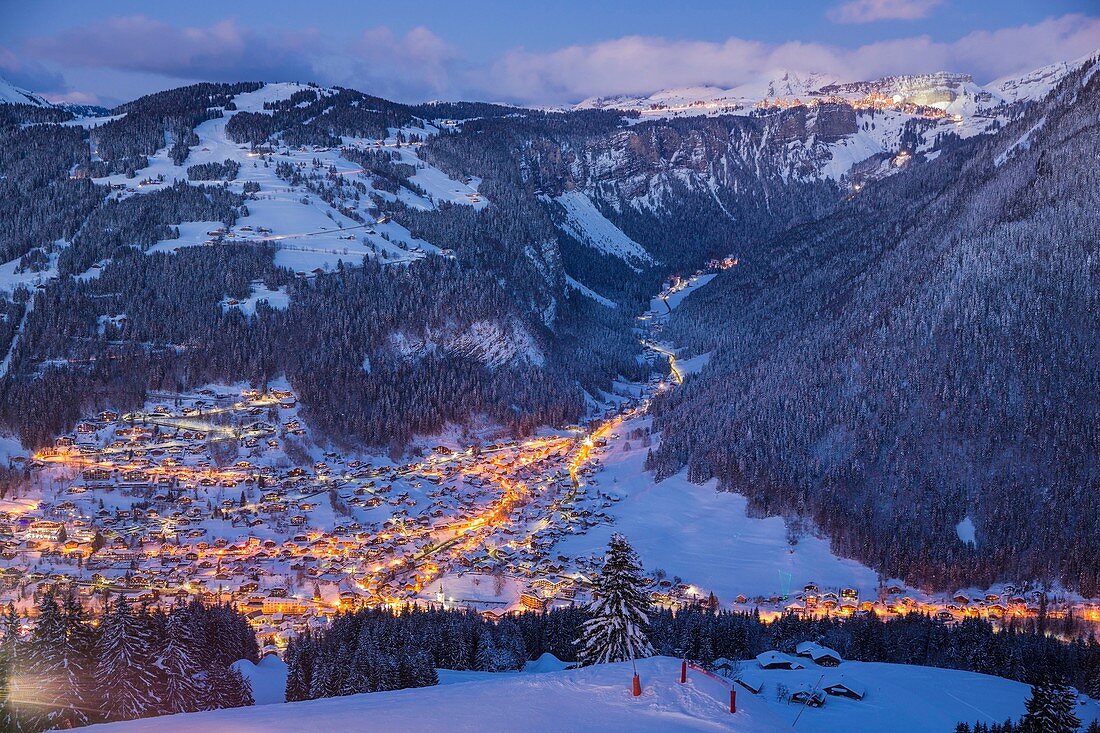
[[599, 699]]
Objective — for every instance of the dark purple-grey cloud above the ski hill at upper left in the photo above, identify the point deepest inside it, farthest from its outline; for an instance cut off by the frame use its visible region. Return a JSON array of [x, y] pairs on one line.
[[225, 51]]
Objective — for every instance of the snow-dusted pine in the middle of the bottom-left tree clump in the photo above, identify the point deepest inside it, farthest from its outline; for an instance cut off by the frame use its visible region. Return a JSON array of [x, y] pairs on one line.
[[124, 664]]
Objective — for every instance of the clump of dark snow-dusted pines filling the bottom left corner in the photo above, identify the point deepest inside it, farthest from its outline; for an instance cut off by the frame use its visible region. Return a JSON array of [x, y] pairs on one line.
[[74, 669]]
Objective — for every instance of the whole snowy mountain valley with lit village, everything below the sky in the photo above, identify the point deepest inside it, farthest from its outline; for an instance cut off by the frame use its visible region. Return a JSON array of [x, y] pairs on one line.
[[329, 410]]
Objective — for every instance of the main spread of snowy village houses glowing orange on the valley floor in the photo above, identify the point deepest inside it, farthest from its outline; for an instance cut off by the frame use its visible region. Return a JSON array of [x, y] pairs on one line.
[[197, 497]]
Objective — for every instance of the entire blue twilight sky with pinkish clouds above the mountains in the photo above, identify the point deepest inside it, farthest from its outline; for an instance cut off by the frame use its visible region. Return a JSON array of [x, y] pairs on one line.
[[548, 52]]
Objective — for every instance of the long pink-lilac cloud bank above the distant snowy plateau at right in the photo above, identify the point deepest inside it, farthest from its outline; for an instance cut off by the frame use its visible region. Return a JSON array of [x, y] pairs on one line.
[[635, 65]]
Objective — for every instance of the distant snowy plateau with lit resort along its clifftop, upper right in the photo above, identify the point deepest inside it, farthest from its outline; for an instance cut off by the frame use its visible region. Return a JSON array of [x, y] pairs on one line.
[[819, 128]]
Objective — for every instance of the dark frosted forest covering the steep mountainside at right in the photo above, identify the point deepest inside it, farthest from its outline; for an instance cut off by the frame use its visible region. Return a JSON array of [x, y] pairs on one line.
[[927, 354]]
